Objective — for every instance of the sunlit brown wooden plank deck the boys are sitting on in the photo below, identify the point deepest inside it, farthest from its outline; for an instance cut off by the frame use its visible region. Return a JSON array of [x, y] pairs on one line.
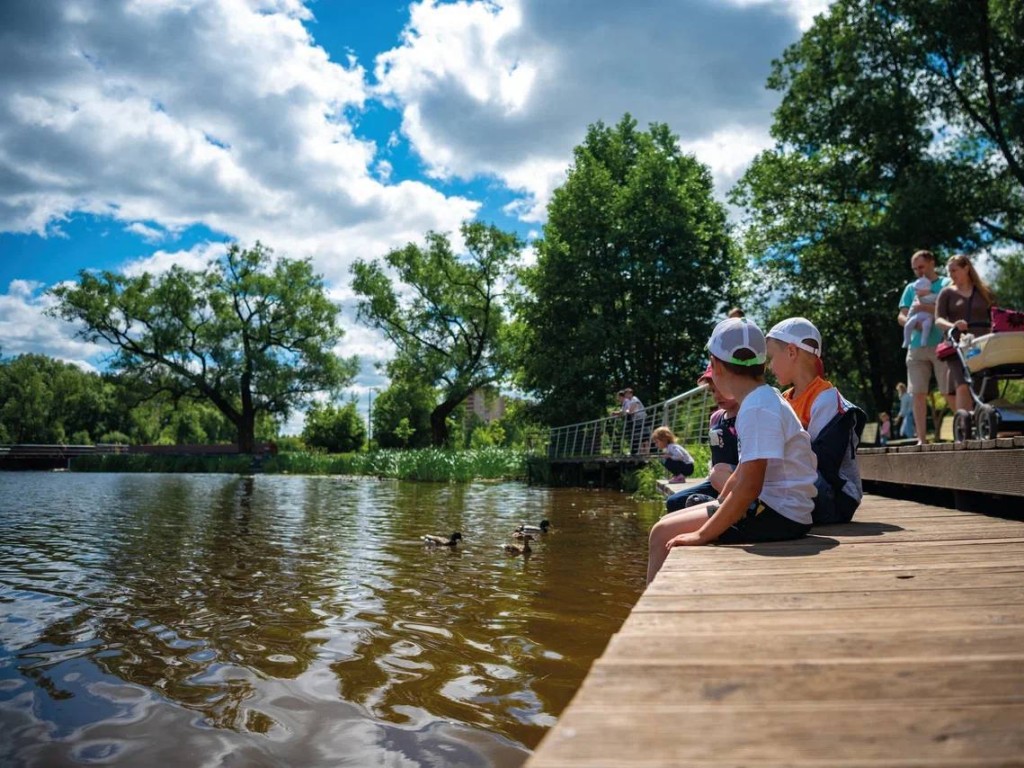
[[895, 641]]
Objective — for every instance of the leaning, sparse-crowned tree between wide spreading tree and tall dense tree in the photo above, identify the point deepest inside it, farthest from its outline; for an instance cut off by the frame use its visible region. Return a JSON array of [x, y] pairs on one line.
[[449, 325]]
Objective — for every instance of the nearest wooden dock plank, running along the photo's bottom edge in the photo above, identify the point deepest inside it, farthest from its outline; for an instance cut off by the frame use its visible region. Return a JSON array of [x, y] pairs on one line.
[[808, 734]]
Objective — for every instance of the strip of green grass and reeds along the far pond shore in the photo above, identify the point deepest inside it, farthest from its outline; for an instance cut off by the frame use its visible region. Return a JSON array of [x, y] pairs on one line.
[[433, 465]]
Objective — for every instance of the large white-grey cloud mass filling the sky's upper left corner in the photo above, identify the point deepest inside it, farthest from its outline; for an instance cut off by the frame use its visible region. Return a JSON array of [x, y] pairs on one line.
[[224, 113]]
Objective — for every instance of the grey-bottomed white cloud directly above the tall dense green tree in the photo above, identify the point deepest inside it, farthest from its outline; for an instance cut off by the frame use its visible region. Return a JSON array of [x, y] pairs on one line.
[[507, 88]]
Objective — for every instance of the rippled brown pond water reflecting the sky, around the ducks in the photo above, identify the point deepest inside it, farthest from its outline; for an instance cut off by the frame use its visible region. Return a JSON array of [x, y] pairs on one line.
[[206, 620]]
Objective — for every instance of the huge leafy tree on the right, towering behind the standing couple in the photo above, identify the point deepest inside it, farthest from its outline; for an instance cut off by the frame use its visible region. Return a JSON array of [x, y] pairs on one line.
[[866, 170]]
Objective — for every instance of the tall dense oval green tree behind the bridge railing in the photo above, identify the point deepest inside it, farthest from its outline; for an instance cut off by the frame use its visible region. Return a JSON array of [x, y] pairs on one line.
[[635, 264]]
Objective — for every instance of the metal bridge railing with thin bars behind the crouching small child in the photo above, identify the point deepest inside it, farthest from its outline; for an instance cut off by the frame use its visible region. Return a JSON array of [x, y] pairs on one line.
[[617, 437]]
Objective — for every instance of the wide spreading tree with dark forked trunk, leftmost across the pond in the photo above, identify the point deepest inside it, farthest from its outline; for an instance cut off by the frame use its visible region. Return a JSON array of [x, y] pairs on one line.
[[251, 335]]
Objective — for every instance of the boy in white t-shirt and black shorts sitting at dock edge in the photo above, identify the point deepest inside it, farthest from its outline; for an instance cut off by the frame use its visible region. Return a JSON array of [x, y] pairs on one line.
[[771, 496]]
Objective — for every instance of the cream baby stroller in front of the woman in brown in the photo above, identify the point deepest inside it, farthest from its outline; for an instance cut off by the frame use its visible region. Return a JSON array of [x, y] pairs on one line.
[[988, 361]]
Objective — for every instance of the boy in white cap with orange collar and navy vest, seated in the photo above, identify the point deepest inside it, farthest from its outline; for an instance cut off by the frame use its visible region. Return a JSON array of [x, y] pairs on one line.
[[834, 423]]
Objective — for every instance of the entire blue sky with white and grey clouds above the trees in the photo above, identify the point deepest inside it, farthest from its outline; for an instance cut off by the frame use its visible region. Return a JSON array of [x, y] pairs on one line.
[[136, 135]]
